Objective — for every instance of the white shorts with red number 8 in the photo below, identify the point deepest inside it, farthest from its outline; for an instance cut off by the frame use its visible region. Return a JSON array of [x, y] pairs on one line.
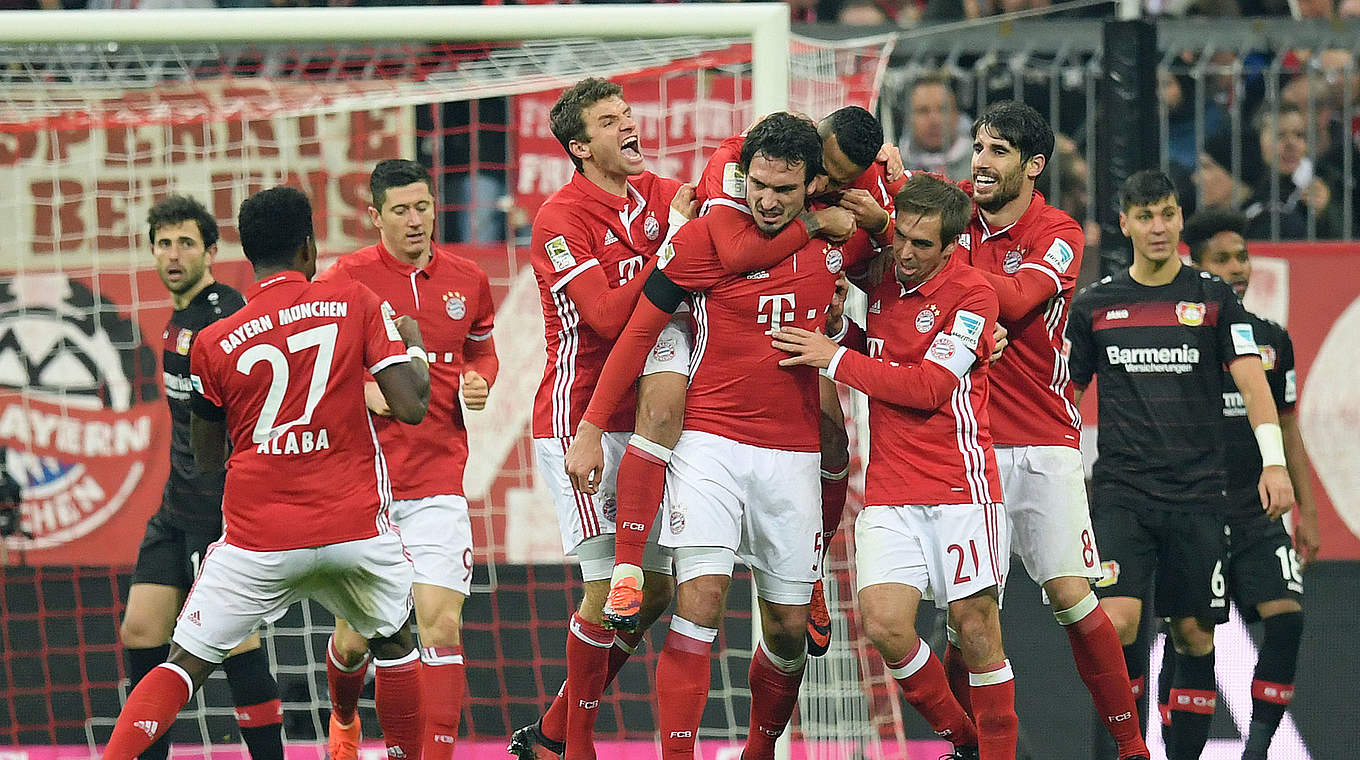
[[1047, 506]]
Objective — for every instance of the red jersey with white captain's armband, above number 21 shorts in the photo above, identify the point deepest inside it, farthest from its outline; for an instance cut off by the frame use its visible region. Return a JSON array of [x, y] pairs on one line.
[[936, 452]]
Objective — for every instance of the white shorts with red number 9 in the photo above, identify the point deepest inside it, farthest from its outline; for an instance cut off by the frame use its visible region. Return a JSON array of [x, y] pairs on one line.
[[439, 536]]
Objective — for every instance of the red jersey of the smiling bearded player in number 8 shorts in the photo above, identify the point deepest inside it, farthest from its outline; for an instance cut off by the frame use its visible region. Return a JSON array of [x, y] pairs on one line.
[[1034, 267]]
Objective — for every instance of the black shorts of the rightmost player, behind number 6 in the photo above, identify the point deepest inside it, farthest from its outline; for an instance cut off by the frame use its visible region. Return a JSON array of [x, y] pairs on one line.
[[1263, 565]]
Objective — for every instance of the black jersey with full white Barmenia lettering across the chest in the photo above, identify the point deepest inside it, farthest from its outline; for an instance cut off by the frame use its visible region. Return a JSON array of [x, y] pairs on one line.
[[1161, 354]]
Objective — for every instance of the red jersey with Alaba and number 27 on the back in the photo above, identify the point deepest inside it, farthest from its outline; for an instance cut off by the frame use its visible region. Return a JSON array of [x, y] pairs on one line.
[[288, 369]]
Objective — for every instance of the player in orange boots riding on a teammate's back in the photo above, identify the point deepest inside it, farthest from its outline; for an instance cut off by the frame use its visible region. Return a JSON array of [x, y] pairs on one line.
[[857, 183]]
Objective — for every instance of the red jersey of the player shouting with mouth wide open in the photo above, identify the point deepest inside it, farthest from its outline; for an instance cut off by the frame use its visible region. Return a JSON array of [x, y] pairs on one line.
[[579, 228]]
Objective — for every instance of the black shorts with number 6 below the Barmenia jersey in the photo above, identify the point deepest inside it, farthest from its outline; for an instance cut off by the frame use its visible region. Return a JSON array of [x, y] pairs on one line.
[[1177, 557]]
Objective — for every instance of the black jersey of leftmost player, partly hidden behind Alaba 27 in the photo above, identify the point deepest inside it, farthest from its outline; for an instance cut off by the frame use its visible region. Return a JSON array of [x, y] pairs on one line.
[[191, 498]]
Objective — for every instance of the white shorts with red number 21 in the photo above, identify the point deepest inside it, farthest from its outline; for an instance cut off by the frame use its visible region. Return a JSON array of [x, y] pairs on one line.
[[946, 551]]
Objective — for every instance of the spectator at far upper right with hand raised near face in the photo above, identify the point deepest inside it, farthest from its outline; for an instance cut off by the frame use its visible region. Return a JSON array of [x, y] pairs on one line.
[[1293, 184]]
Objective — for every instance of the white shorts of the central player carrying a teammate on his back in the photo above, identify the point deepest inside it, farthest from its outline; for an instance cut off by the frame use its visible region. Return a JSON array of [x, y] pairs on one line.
[[765, 505]]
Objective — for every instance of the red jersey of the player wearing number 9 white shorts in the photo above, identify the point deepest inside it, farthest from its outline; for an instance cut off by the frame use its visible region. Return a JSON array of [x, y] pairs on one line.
[[451, 300]]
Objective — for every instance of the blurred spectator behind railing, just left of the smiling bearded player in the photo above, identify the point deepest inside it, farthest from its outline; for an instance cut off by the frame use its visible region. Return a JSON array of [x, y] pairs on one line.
[[938, 137]]
